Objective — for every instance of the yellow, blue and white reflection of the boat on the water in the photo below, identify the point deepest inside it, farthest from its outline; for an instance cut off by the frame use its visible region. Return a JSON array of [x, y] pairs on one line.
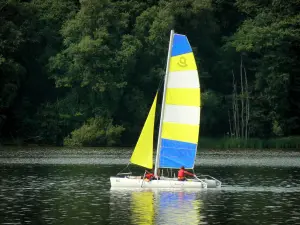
[[156, 206]]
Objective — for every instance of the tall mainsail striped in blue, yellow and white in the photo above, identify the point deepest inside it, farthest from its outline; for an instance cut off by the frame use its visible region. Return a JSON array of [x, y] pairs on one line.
[[181, 116]]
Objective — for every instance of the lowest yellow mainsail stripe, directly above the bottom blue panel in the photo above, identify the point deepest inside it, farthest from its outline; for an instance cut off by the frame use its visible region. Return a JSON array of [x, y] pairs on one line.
[[180, 132]]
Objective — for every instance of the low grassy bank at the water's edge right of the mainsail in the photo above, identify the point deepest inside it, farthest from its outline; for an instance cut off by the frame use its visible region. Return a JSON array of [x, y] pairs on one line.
[[251, 143]]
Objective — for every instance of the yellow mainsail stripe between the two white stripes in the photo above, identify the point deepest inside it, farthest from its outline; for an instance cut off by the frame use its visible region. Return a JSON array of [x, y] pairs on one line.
[[183, 96]]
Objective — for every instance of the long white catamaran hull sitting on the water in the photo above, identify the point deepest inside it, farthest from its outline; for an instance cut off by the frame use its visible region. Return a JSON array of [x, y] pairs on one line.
[[123, 182]]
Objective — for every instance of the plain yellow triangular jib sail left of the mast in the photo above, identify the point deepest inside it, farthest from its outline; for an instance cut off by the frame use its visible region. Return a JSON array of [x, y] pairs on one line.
[[143, 151]]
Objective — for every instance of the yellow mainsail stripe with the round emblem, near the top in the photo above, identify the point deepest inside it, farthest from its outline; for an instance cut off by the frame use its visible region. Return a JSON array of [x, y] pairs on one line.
[[183, 62]]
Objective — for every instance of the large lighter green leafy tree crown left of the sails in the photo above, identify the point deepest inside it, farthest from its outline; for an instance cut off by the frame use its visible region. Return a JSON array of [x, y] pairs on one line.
[[91, 40]]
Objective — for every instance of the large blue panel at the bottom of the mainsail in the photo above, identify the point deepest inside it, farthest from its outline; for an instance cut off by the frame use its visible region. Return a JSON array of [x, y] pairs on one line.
[[174, 154]]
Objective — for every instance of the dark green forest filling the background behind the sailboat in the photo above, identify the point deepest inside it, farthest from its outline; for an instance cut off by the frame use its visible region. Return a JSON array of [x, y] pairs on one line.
[[84, 73]]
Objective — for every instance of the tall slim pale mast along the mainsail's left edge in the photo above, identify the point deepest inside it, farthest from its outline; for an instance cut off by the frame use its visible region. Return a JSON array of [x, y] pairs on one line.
[[163, 104]]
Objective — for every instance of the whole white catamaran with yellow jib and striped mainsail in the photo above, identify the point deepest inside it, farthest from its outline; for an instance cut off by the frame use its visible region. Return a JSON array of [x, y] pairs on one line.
[[178, 129]]
